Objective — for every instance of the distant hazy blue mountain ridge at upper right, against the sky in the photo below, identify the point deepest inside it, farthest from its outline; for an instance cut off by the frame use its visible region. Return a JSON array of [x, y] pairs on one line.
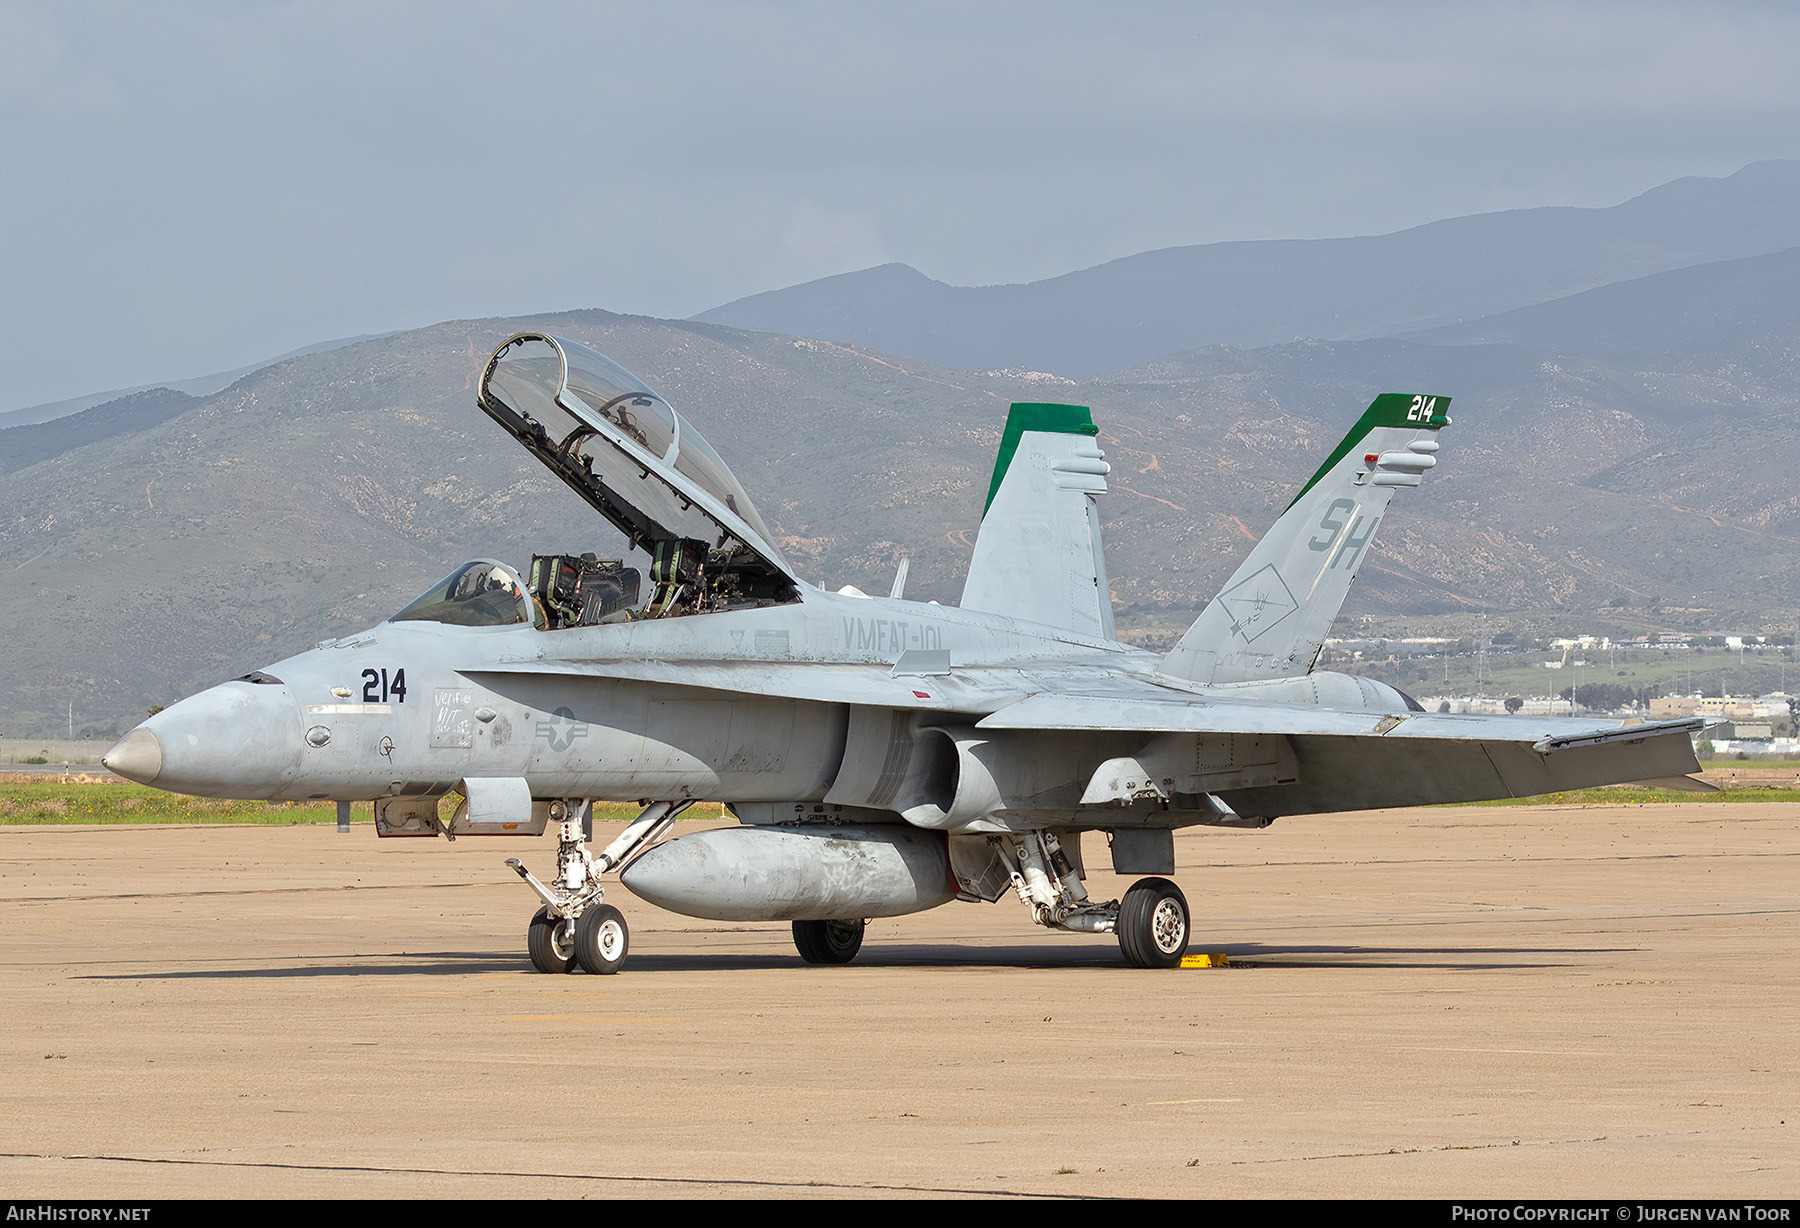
[[1268, 293]]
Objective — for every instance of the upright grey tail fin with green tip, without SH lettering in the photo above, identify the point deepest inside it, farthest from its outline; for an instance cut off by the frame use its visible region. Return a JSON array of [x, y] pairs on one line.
[[1038, 554]]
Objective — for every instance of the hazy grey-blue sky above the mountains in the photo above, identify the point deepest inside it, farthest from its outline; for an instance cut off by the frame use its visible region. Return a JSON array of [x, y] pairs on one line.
[[192, 186]]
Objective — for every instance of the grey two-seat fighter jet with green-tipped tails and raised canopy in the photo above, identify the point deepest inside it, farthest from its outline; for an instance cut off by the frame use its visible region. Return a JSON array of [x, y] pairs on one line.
[[879, 755]]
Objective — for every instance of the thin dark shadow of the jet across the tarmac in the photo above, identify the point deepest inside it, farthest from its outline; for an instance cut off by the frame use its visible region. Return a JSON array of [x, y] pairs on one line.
[[917, 955]]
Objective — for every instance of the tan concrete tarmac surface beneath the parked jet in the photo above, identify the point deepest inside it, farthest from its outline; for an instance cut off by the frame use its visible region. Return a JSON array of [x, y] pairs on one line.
[[1583, 1002]]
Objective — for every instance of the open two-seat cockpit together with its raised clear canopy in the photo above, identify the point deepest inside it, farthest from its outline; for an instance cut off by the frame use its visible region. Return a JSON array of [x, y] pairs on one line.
[[649, 473]]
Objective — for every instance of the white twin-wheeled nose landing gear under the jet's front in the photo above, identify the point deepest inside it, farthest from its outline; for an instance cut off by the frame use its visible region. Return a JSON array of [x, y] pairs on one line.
[[575, 930]]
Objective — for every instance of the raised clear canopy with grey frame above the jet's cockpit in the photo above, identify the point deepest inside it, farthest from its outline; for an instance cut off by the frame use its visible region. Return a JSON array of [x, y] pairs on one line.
[[629, 455]]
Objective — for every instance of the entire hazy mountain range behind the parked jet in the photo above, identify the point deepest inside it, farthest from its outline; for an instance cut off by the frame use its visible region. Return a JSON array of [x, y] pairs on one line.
[[1621, 456]]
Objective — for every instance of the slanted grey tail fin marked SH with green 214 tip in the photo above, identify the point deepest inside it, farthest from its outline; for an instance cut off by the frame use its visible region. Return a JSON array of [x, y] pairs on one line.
[[1272, 619]]
